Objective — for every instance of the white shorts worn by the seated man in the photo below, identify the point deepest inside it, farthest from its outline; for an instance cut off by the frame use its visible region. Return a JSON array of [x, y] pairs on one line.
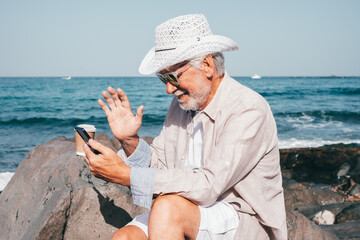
[[218, 221]]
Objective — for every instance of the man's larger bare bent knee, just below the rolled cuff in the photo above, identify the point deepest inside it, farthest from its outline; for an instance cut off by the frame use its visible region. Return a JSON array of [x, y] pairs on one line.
[[173, 217]]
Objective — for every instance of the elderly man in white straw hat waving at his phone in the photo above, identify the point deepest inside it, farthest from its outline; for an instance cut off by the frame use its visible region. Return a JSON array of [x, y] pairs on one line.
[[213, 171]]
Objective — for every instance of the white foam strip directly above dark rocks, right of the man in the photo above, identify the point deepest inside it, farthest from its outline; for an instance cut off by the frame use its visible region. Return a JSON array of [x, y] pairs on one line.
[[297, 143]]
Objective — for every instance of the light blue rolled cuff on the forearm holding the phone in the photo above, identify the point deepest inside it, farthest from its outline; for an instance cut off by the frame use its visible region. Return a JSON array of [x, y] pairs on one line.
[[142, 185]]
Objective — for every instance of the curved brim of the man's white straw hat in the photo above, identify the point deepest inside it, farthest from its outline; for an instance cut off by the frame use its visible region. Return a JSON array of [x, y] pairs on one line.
[[191, 49]]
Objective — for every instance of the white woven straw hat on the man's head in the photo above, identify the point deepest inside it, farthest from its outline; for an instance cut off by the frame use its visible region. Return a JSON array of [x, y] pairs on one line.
[[183, 38]]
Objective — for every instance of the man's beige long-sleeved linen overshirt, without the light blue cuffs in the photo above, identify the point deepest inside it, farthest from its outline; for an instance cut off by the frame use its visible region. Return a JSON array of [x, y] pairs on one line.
[[241, 159]]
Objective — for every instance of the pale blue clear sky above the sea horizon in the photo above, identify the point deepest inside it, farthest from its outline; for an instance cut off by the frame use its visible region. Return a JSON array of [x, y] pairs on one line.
[[110, 37]]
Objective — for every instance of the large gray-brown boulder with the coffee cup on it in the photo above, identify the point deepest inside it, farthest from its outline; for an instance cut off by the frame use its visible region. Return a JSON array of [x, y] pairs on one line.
[[52, 195]]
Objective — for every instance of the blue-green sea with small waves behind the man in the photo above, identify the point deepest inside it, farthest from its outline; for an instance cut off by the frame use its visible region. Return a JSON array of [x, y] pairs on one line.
[[309, 111]]
